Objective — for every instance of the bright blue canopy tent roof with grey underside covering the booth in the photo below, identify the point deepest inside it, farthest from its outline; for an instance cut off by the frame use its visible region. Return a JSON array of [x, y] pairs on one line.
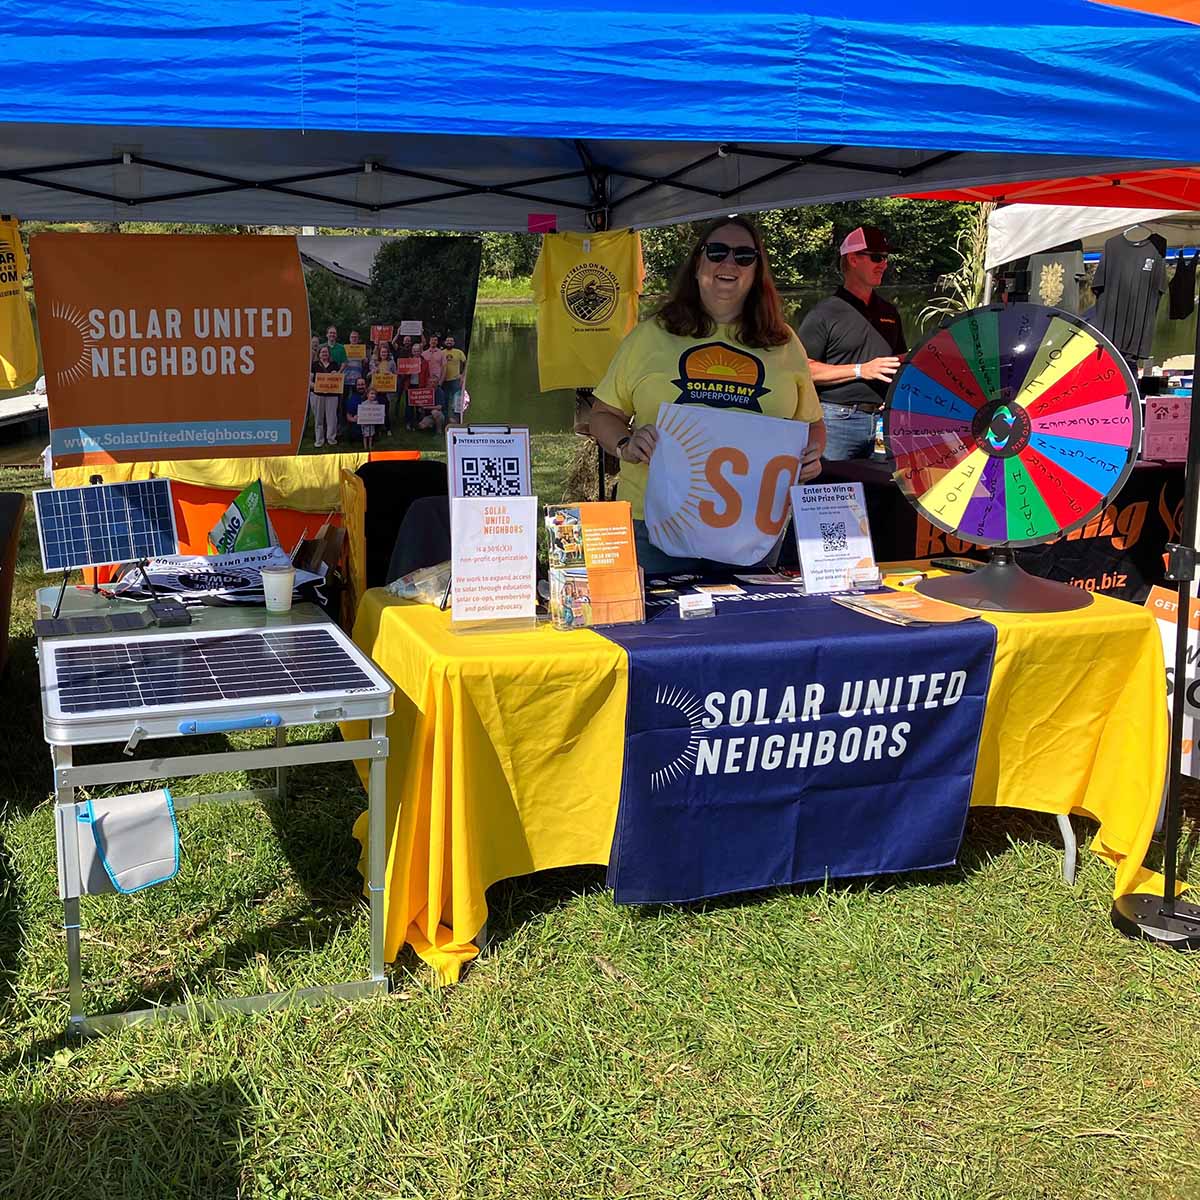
[[465, 116]]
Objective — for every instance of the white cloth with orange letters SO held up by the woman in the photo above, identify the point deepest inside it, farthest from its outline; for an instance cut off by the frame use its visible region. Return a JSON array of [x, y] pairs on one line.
[[718, 485]]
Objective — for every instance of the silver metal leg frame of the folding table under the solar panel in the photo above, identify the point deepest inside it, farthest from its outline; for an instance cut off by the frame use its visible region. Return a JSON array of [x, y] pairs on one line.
[[69, 779]]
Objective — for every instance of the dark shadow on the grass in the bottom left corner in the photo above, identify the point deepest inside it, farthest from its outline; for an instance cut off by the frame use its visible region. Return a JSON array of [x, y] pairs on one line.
[[171, 1143]]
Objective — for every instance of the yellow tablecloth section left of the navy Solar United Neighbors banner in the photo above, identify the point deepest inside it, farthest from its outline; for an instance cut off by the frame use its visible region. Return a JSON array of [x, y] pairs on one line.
[[505, 759]]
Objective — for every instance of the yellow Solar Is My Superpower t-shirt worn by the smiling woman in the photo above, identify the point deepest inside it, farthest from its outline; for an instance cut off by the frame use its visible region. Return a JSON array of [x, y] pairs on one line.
[[655, 368]]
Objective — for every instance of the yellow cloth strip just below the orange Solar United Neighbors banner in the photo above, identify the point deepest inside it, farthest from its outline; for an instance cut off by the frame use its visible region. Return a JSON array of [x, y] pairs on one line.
[[307, 483]]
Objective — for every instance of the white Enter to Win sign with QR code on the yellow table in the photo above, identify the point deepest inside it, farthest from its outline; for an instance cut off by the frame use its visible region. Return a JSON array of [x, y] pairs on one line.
[[833, 538]]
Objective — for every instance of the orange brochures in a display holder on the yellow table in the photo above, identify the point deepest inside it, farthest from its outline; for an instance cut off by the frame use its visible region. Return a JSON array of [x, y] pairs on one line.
[[593, 566]]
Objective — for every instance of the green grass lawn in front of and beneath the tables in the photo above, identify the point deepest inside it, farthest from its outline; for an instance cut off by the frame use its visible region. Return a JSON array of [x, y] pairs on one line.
[[970, 1033]]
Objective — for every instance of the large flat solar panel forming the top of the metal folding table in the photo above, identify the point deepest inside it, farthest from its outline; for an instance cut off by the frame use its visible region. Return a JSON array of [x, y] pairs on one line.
[[181, 671]]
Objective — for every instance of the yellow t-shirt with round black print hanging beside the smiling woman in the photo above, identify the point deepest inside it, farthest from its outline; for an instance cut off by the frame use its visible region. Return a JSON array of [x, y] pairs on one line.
[[587, 287]]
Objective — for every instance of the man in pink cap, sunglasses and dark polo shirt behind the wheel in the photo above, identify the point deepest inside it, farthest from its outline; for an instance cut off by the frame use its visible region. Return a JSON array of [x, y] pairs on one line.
[[854, 340]]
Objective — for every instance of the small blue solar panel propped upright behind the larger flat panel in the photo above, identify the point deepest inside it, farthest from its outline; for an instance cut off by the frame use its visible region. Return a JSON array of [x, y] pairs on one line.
[[105, 524]]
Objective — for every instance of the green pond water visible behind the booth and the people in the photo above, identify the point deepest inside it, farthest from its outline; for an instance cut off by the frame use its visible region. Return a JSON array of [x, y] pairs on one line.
[[503, 375]]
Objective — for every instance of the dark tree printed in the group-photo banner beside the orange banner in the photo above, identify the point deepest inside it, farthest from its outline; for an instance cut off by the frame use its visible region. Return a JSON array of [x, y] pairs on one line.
[[425, 279]]
